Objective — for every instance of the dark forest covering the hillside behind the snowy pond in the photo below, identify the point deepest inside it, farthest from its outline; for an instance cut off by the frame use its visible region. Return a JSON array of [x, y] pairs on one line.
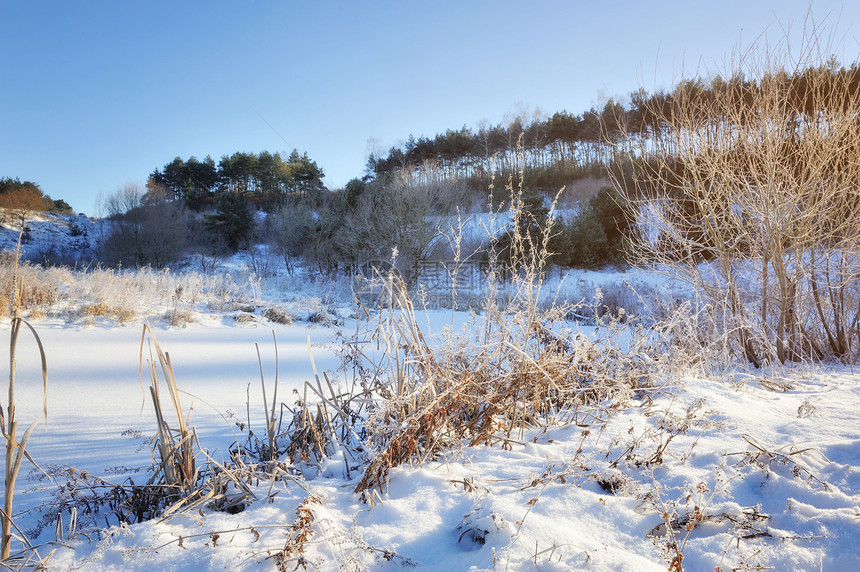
[[404, 193]]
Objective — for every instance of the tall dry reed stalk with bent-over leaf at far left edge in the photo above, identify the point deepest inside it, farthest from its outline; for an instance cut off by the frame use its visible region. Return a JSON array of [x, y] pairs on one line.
[[15, 449]]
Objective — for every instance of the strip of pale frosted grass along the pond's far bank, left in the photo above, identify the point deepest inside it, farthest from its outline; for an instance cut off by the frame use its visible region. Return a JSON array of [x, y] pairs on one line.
[[104, 296]]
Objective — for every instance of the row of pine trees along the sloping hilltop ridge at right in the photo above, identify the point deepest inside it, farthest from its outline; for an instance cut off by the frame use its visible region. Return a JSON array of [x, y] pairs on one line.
[[602, 136]]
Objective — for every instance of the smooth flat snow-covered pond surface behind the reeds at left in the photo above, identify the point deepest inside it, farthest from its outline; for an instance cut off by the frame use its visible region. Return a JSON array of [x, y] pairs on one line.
[[100, 417]]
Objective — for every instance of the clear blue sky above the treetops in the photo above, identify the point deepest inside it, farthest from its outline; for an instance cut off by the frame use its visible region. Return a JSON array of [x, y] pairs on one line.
[[95, 95]]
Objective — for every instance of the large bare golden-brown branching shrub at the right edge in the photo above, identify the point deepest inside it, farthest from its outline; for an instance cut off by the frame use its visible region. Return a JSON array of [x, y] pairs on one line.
[[748, 187]]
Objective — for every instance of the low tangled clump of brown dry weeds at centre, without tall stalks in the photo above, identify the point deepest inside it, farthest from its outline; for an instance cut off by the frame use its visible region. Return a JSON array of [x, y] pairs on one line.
[[519, 373]]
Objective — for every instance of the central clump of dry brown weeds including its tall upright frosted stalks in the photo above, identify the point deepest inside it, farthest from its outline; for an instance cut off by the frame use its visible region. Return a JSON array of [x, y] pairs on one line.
[[514, 370]]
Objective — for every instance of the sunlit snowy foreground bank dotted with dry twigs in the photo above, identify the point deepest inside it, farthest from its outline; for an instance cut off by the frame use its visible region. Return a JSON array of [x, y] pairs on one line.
[[775, 476]]
